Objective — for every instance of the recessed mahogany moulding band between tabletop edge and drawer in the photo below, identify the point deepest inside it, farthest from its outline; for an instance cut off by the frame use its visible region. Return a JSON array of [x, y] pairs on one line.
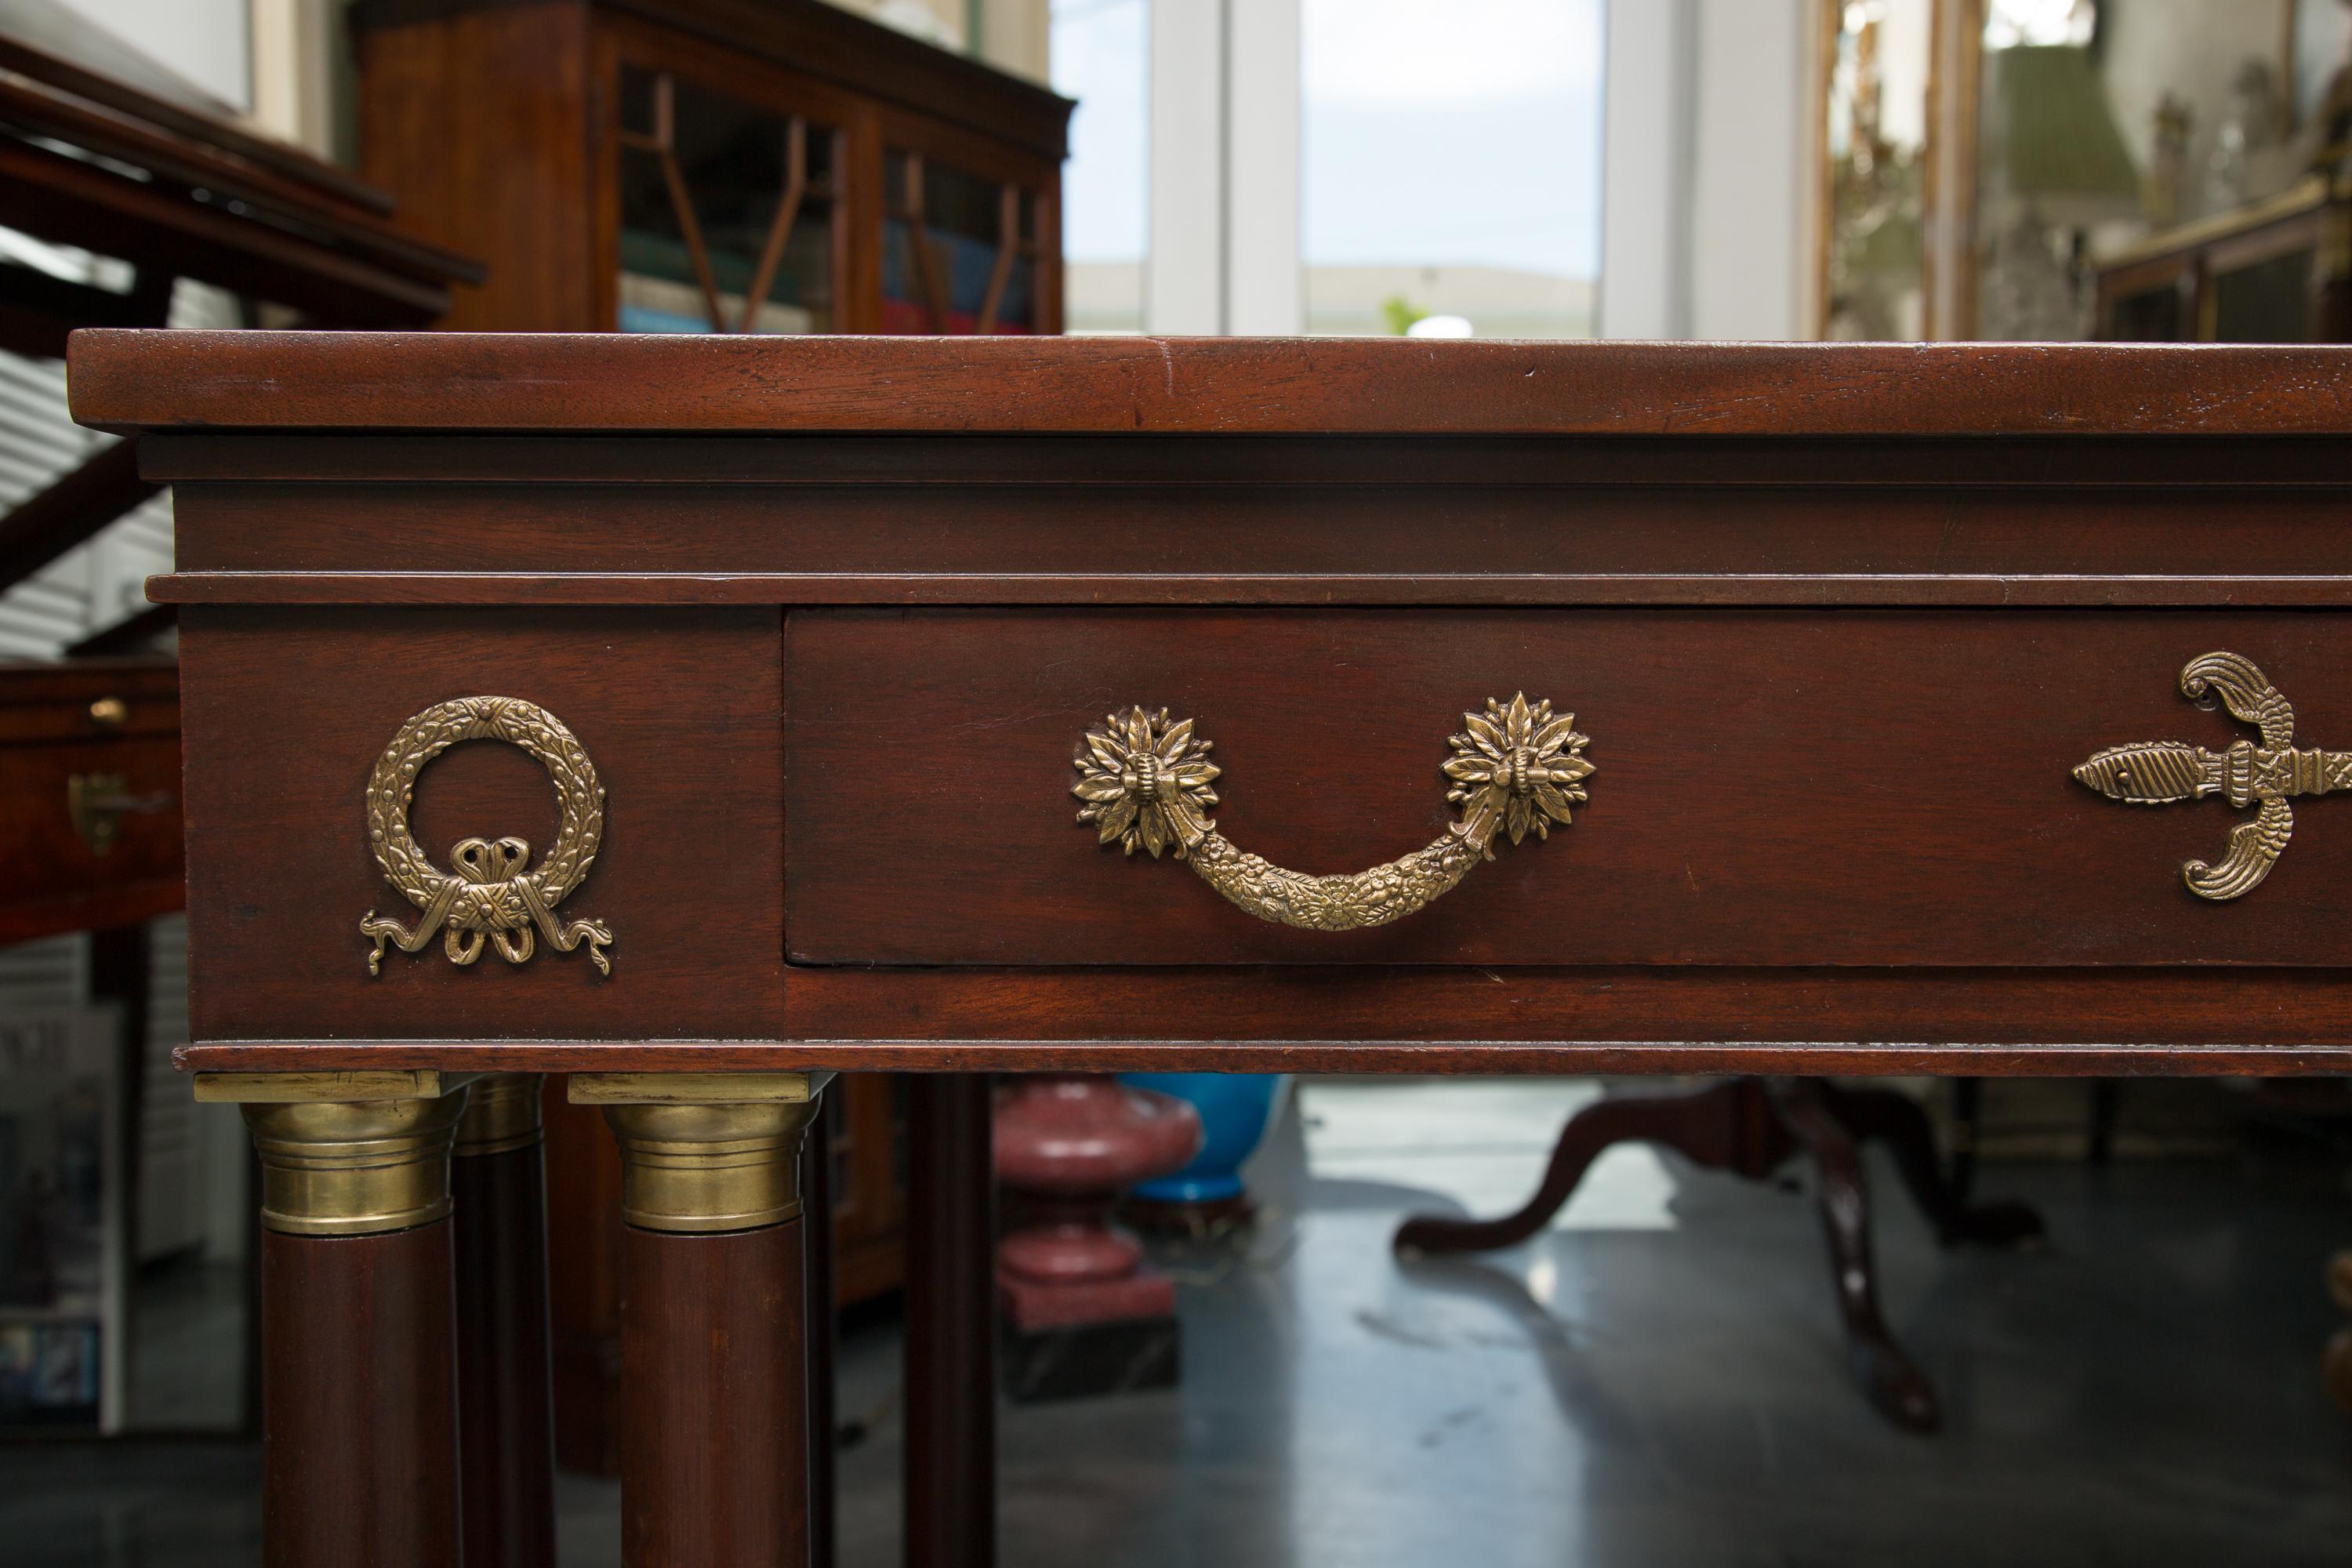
[[1535, 537]]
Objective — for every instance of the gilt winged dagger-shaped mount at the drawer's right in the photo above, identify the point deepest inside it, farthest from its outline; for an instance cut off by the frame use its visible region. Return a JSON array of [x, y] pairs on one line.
[[2264, 777]]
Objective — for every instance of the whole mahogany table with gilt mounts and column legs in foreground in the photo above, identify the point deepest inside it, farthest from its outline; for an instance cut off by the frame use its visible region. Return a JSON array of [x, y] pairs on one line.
[[697, 716]]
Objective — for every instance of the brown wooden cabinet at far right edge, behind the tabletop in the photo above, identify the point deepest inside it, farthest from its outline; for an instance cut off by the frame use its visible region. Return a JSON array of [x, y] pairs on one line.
[[2278, 272]]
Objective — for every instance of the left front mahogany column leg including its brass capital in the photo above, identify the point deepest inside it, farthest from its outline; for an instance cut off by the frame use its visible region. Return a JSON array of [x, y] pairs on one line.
[[359, 1393]]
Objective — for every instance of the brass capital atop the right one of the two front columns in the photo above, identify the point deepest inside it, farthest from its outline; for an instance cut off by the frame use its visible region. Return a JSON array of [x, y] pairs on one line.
[[709, 1167]]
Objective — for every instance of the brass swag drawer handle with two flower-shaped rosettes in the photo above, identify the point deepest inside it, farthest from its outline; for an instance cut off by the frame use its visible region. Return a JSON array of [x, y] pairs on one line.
[[1147, 784]]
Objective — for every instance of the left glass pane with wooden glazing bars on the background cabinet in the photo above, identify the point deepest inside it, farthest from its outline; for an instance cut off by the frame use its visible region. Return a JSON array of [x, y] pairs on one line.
[[726, 213]]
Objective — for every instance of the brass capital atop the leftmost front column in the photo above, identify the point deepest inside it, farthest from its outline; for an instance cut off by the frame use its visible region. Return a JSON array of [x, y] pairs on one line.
[[354, 1167]]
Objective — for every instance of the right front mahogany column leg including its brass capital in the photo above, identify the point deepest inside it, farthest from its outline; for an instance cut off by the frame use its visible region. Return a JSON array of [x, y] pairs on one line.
[[714, 1299]]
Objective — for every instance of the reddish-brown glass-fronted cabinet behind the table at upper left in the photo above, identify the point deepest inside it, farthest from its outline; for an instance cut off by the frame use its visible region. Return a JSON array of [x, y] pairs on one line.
[[714, 166]]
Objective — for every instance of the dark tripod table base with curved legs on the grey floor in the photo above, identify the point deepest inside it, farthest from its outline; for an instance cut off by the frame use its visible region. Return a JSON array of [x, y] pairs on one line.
[[1756, 1127]]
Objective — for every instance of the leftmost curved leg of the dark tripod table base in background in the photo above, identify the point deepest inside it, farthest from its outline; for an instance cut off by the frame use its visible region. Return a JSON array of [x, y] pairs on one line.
[[1711, 1127]]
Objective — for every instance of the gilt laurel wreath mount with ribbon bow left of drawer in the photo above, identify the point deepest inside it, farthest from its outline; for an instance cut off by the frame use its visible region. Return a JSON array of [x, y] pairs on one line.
[[493, 897]]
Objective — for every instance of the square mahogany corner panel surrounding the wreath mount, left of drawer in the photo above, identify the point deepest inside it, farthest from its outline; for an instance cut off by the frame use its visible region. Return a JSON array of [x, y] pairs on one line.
[[286, 718]]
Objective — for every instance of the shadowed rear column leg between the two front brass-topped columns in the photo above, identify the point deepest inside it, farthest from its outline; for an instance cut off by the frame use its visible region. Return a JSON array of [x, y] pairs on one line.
[[507, 1421]]
